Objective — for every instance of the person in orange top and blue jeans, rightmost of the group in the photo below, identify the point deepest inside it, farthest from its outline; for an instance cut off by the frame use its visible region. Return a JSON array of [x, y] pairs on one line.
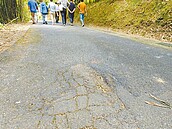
[[82, 11]]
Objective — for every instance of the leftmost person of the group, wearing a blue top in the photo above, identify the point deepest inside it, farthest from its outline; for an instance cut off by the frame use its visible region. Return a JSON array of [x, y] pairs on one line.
[[33, 7]]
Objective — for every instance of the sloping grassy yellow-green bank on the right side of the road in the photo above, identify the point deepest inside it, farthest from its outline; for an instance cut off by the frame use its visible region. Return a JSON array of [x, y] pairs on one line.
[[150, 18]]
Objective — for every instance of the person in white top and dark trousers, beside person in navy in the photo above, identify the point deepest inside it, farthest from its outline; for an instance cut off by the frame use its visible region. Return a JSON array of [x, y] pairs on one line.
[[64, 4]]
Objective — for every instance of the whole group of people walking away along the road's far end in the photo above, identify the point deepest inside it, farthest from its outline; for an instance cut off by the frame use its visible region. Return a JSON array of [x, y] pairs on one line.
[[57, 8]]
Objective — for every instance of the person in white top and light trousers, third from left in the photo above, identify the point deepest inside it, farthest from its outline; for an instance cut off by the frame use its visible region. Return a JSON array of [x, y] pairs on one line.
[[52, 8]]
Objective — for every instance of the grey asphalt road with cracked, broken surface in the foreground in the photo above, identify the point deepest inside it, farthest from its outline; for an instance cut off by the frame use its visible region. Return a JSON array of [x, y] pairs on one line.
[[78, 78]]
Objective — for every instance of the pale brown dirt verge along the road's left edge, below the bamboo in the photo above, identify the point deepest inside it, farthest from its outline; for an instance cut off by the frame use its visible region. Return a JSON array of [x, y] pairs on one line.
[[10, 34]]
